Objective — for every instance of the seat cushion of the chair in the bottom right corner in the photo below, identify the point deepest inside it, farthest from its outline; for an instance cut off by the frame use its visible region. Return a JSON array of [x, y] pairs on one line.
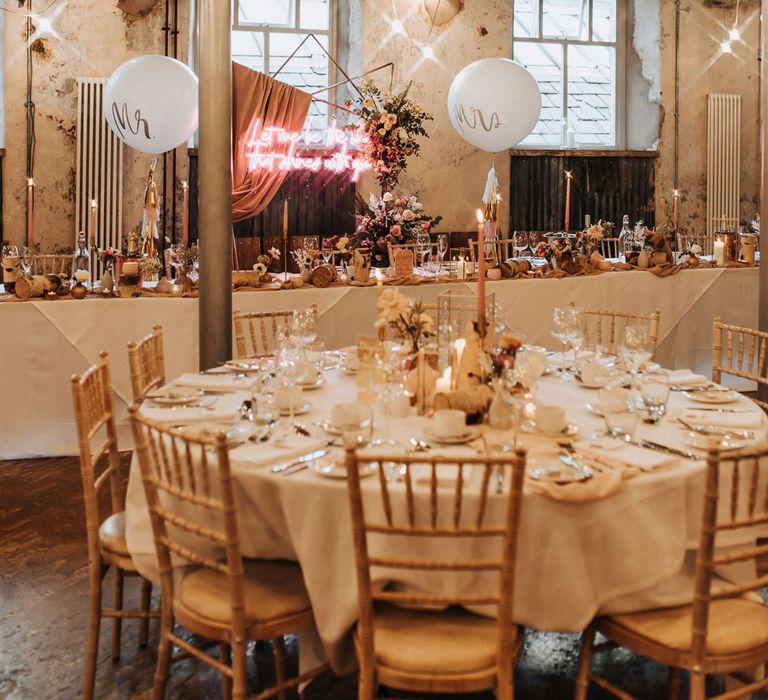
[[735, 625]]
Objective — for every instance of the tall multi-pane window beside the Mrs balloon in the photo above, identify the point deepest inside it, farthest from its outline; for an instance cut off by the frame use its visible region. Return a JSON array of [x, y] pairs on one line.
[[574, 50]]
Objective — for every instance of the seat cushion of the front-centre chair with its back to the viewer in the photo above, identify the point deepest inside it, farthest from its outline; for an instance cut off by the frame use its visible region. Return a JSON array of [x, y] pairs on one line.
[[454, 641]]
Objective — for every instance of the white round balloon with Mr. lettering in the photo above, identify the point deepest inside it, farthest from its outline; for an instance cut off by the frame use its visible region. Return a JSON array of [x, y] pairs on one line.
[[151, 103]]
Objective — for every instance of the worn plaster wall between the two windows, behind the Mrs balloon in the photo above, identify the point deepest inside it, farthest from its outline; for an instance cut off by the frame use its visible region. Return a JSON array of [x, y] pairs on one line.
[[450, 174]]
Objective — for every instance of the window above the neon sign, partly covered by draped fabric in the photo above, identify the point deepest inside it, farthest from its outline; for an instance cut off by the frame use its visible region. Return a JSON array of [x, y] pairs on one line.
[[266, 32]]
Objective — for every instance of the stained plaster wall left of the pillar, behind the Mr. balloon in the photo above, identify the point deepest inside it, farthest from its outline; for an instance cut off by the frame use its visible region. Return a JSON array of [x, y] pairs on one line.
[[89, 39]]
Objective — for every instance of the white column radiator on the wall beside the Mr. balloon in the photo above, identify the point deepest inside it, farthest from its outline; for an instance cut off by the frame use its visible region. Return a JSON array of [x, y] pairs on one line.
[[99, 173]]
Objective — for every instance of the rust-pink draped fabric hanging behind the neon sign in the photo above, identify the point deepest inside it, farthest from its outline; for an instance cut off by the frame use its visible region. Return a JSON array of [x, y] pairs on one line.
[[259, 101]]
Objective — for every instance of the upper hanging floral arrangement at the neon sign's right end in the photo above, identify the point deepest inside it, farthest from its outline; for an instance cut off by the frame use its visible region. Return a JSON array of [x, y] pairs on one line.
[[390, 126]]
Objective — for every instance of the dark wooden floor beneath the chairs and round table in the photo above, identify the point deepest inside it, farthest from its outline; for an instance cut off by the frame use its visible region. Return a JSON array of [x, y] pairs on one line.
[[43, 595]]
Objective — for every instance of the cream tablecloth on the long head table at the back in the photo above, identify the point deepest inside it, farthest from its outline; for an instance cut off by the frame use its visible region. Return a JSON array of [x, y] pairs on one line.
[[43, 343]]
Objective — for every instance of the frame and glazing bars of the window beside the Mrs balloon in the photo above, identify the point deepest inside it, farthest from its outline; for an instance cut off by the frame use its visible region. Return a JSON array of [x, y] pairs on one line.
[[620, 76]]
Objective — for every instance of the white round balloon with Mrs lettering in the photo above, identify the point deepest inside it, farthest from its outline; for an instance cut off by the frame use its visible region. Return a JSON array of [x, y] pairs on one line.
[[494, 103]]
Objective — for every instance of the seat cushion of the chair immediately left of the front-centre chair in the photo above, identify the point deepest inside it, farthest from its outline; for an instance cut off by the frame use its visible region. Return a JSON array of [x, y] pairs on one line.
[[273, 590]]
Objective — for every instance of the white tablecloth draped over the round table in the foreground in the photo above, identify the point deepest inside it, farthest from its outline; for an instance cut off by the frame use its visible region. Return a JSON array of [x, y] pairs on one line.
[[626, 552]]
